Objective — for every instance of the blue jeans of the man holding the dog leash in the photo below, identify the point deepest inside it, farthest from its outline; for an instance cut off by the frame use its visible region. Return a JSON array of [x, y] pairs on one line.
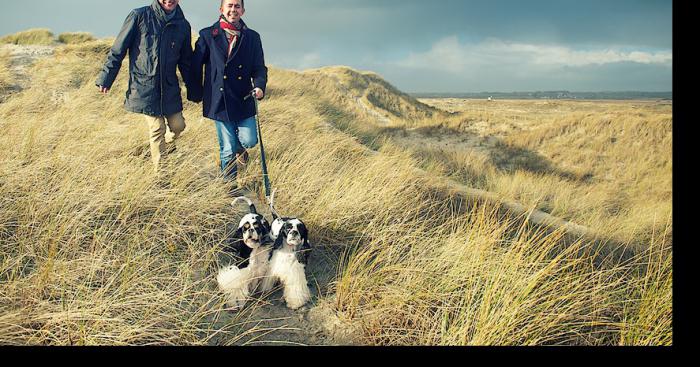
[[235, 137]]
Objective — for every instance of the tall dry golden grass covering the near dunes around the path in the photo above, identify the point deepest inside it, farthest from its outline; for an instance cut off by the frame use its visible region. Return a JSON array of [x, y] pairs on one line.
[[95, 249]]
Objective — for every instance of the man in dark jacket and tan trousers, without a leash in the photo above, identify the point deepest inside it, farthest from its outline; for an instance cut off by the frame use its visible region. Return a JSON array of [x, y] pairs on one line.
[[159, 41]]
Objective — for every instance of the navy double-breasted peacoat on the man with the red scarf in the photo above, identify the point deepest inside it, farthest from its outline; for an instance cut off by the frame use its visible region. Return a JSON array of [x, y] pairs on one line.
[[226, 81]]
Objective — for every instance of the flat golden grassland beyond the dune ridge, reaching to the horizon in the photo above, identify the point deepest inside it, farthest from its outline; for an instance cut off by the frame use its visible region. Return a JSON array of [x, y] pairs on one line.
[[606, 165]]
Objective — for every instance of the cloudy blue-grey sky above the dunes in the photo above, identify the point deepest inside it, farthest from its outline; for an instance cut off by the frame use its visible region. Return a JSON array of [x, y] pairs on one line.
[[428, 46]]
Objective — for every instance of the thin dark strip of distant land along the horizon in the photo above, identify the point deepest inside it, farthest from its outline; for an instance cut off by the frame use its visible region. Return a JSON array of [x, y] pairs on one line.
[[551, 95]]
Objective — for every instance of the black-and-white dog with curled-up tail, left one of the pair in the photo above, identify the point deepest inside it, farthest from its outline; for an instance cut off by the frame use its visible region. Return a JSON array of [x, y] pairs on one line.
[[252, 243]]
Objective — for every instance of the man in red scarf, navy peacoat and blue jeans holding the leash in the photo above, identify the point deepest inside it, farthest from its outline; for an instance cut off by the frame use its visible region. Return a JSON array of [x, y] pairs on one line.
[[234, 66]]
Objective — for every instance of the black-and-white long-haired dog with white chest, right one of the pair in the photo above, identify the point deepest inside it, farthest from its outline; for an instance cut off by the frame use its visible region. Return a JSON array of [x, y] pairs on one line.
[[289, 258]]
